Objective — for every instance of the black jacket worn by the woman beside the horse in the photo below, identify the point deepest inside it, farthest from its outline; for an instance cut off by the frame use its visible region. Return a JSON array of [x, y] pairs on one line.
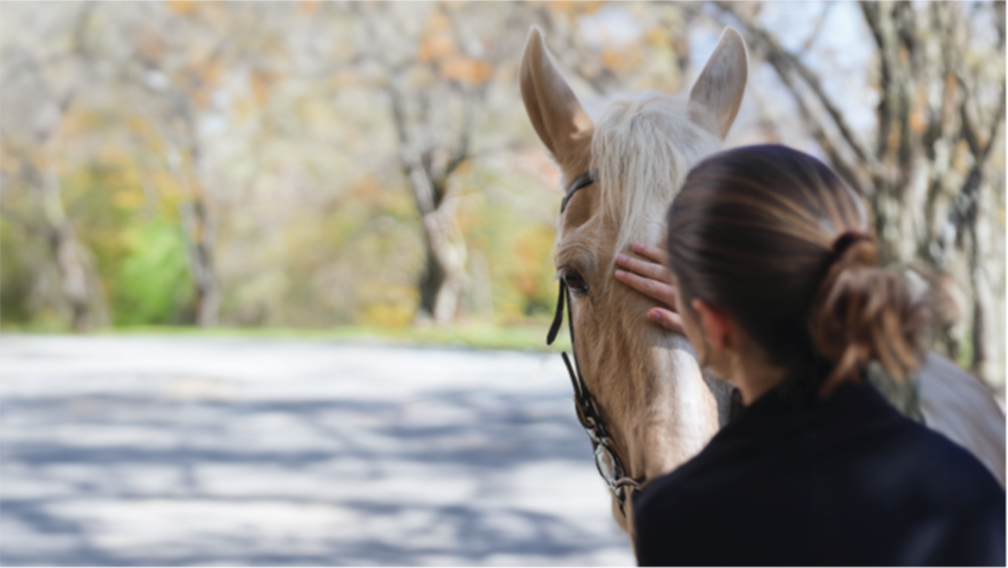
[[846, 483]]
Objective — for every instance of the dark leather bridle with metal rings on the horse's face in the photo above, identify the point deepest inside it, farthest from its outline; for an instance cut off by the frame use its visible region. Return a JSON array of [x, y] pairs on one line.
[[606, 459]]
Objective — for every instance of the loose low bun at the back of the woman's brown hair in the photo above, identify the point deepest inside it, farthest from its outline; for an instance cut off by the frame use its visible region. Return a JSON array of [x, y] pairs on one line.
[[863, 313]]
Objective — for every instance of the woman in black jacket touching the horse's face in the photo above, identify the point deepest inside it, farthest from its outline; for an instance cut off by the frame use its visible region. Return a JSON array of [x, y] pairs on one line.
[[775, 278]]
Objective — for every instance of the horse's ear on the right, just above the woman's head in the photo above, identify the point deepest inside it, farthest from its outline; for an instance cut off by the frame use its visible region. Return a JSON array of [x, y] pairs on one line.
[[717, 95]]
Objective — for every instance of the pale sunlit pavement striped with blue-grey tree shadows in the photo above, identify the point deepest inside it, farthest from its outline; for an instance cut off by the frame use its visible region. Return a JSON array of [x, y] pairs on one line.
[[148, 451]]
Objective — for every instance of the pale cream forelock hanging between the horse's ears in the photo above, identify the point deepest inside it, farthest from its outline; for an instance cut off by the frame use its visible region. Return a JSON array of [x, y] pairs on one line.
[[643, 149]]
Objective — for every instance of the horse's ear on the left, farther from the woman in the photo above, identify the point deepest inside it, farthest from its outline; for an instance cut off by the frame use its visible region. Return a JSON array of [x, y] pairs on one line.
[[557, 116]]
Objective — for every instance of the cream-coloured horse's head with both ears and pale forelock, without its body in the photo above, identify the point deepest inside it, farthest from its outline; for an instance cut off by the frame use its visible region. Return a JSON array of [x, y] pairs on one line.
[[654, 399]]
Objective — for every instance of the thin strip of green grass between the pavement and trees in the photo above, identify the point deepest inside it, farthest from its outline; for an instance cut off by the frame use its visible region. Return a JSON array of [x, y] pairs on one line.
[[476, 336]]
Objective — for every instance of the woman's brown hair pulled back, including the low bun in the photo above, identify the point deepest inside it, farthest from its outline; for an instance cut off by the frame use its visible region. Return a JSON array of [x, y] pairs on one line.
[[777, 240]]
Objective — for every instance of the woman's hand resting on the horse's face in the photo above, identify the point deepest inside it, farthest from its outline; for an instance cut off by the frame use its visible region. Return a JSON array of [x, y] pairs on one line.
[[651, 277]]
